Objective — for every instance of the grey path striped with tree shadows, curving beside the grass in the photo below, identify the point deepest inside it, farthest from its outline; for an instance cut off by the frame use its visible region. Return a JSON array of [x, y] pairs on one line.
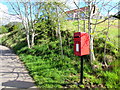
[[12, 72]]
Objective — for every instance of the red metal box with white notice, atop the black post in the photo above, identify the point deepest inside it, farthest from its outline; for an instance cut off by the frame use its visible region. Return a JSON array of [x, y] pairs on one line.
[[81, 43]]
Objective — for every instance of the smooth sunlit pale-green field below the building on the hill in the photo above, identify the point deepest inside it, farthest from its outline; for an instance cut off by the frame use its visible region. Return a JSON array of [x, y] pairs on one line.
[[101, 28]]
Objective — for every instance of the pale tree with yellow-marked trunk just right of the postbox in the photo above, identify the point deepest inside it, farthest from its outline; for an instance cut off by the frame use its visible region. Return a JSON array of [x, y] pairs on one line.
[[90, 23]]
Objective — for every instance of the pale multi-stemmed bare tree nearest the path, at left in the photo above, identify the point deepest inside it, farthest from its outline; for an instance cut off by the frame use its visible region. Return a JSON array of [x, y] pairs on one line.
[[28, 12]]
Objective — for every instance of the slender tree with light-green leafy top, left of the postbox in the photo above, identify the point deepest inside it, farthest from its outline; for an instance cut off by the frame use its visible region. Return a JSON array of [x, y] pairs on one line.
[[54, 12]]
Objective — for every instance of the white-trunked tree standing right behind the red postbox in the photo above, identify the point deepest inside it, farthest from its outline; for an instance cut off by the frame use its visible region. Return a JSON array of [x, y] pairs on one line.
[[91, 14]]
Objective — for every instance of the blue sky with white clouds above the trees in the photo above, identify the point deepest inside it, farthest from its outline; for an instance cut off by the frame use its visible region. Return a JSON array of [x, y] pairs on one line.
[[5, 7]]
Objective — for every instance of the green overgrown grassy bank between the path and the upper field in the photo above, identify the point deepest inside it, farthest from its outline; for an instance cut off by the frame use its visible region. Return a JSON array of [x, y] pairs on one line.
[[50, 70]]
